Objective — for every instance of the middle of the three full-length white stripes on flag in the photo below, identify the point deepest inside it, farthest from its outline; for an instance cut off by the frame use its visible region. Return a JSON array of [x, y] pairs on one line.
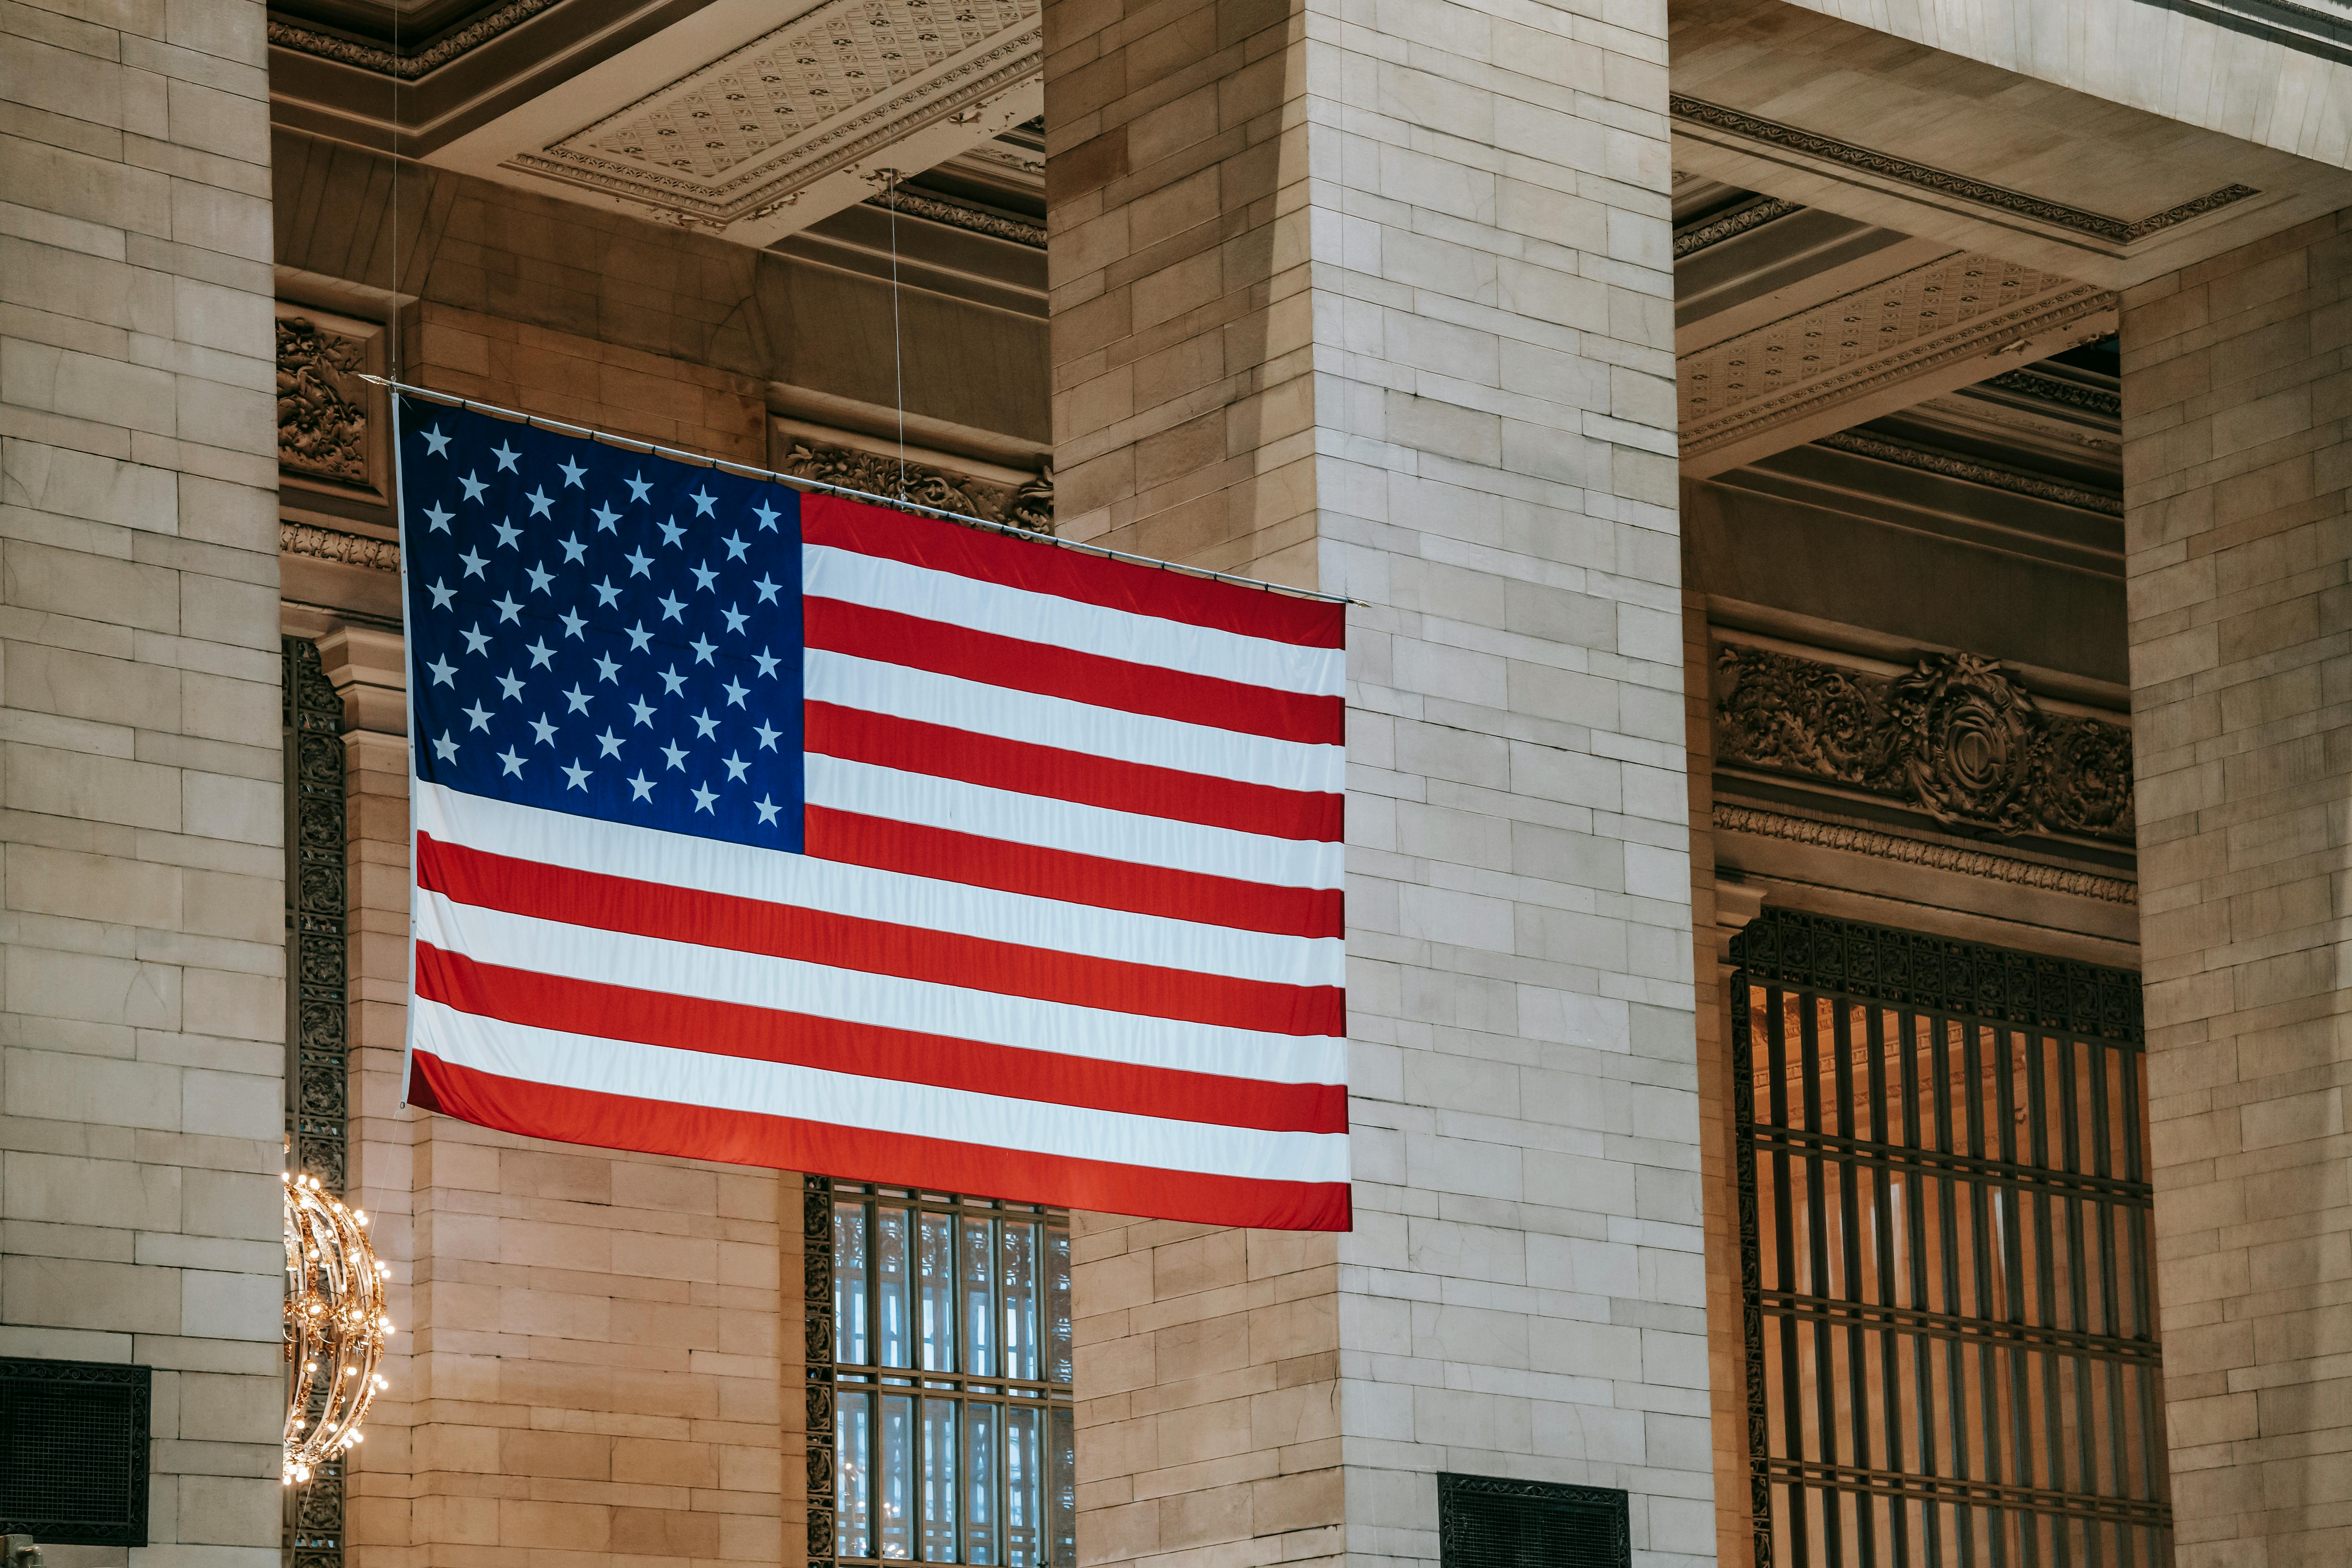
[[888, 1003]]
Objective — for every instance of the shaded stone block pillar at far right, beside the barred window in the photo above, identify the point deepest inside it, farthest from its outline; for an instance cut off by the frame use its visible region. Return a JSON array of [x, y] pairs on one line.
[[2238, 457]]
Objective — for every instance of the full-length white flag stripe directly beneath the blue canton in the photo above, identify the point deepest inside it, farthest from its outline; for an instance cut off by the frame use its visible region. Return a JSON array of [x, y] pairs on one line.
[[834, 887]]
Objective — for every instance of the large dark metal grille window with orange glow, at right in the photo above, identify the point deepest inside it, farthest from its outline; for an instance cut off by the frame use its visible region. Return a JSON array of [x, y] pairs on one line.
[[1946, 1259]]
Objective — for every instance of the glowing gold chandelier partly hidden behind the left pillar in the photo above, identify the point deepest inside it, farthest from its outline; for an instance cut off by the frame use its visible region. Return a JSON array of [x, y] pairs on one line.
[[335, 1327]]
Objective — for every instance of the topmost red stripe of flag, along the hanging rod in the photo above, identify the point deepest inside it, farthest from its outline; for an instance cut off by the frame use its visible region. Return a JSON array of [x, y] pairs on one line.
[[1069, 575]]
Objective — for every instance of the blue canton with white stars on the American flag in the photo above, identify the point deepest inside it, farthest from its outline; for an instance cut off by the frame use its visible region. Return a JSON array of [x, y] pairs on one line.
[[601, 631]]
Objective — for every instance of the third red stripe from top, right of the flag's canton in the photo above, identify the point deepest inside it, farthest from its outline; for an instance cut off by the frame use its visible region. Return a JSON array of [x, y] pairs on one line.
[[911, 746]]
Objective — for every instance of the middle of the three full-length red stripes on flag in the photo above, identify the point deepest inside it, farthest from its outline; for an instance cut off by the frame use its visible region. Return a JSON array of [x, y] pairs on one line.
[[871, 1052]]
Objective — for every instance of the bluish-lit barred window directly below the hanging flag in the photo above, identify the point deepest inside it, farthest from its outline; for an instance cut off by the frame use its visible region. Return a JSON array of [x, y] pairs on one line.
[[940, 1381]]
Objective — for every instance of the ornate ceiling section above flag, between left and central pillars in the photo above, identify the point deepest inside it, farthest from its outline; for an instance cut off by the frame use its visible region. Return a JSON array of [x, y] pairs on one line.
[[740, 119]]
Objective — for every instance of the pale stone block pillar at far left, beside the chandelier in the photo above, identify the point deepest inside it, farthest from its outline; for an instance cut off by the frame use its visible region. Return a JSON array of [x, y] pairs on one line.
[[140, 742]]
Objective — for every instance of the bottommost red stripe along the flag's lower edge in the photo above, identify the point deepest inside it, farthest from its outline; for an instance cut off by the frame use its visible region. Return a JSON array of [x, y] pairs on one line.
[[749, 1139]]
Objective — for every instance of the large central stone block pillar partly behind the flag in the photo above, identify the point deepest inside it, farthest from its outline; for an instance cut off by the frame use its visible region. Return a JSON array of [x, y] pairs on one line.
[[1389, 309]]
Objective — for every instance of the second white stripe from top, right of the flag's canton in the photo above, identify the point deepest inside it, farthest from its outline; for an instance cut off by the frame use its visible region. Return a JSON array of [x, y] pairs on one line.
[[1071, 728]]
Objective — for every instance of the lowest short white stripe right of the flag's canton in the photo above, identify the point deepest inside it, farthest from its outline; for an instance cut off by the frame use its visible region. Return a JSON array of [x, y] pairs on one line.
[[1060, 824]]
